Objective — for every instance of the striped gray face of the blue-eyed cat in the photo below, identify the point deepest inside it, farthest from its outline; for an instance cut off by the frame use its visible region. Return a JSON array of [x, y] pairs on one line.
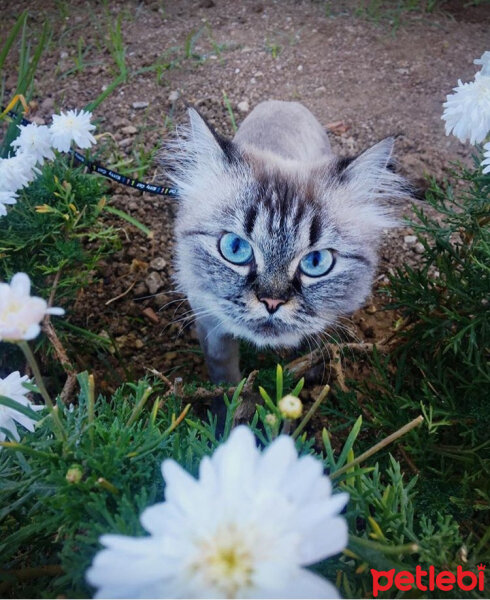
[[272, 254]]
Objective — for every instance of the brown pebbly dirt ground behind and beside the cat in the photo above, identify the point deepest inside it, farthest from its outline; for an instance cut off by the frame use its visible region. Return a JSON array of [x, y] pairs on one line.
[[364, 78]]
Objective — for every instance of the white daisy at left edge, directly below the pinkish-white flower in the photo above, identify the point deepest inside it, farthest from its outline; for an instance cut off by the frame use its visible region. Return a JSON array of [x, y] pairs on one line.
[[12, 388]]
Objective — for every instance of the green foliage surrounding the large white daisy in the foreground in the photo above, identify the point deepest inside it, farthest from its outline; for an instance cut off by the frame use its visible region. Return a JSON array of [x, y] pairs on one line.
[[59, 496]]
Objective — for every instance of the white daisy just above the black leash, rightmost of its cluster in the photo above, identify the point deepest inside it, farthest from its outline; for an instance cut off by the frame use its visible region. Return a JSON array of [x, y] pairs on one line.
[[72, 127]]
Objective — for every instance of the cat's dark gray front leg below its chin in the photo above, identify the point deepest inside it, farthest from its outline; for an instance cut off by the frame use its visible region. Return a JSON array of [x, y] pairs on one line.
[[221, 351]]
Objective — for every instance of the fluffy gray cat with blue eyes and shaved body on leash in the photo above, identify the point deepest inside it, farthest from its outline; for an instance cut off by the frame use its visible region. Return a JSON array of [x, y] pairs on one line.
[[276, 236]]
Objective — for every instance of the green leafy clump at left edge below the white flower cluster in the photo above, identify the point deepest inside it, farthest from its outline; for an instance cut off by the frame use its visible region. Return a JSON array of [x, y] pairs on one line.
[[55, 227]]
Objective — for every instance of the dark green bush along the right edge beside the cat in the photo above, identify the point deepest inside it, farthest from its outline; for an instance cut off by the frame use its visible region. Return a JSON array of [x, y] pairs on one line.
[[439, 368]]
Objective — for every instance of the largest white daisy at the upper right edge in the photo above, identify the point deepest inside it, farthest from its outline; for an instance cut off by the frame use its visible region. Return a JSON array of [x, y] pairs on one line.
[[467, 111]]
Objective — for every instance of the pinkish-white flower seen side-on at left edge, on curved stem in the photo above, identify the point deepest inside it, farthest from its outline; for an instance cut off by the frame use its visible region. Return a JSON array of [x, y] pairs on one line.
[[21, 313]]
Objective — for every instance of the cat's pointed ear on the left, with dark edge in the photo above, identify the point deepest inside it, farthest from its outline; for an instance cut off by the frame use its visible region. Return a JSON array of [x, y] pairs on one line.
[[205, 142]]
